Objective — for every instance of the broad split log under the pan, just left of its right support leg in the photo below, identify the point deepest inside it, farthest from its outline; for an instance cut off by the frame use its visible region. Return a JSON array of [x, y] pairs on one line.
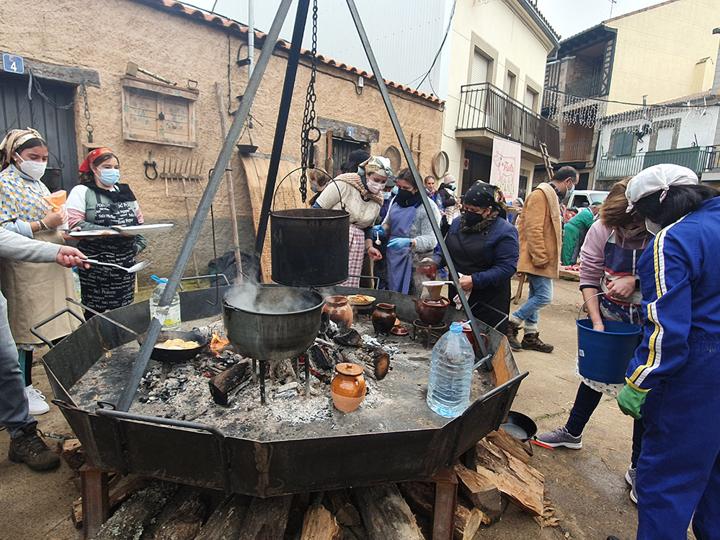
[[386, 514]]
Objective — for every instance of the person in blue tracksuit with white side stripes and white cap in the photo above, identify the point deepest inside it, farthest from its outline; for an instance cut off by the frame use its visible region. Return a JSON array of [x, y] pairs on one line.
[[672, 381]]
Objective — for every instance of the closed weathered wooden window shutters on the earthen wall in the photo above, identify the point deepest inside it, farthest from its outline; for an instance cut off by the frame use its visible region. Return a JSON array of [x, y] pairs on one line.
[[158, 113]]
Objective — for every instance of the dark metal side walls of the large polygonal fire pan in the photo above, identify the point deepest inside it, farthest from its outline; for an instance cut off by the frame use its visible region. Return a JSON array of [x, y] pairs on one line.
[[200, 455]]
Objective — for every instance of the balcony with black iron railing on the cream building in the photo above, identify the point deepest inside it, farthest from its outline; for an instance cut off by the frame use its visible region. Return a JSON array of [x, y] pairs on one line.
[[485, 107]]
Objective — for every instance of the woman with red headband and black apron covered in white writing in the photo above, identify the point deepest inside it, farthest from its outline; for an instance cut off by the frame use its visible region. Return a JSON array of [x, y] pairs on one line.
[[99, 203]]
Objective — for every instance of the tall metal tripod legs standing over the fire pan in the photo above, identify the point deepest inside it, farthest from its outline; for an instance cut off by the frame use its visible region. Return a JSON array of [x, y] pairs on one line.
[[225, 155]]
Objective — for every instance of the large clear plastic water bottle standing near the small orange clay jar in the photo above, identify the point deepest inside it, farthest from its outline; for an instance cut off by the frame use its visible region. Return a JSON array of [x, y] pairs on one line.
[[451, 369]]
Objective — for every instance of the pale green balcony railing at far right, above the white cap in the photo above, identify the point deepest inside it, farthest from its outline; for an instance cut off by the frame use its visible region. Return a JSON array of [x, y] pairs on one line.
[[697, 158]]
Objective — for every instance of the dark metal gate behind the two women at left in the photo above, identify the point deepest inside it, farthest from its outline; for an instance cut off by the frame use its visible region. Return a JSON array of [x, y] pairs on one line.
[[52, 114]]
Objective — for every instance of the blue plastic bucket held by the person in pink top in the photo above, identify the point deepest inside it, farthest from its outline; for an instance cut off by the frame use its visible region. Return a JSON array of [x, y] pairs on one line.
[[604, 356]]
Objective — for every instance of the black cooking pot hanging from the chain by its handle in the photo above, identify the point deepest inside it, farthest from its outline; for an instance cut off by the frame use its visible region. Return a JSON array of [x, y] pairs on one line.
[[309, 246]]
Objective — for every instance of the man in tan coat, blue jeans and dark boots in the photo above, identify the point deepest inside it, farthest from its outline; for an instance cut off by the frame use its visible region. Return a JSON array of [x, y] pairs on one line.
[[540, 231]]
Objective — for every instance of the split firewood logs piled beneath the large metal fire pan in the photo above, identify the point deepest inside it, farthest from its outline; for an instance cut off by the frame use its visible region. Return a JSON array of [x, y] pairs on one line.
[[495, 475]]
